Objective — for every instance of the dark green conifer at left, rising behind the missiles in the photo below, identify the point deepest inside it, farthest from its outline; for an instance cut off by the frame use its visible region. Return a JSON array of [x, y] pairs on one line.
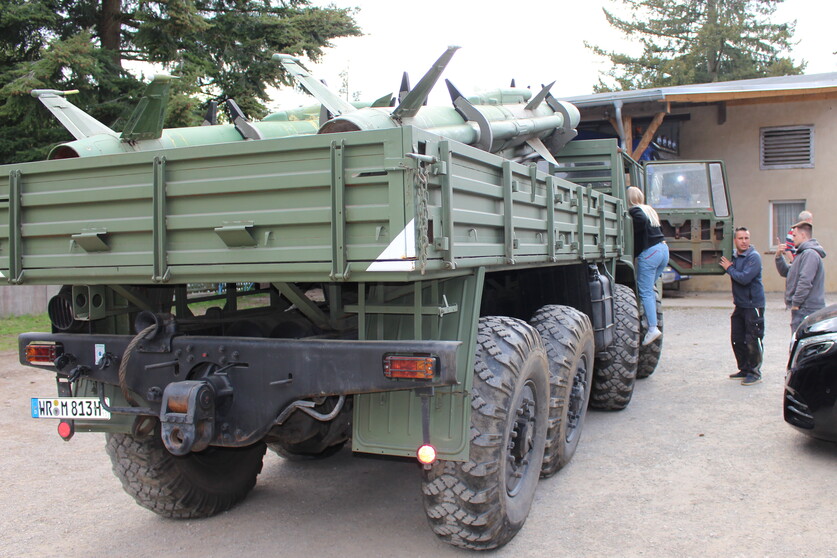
[[218, 49]]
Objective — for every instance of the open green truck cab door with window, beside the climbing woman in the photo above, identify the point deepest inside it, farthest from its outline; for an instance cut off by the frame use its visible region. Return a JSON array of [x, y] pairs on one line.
[[693, 202]]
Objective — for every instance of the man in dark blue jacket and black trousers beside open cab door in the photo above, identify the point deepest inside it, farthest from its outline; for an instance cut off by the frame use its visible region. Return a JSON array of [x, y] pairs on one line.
[[747, 321]]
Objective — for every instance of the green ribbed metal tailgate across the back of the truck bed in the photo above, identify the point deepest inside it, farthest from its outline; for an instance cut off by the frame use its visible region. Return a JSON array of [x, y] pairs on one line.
[[216, 213]]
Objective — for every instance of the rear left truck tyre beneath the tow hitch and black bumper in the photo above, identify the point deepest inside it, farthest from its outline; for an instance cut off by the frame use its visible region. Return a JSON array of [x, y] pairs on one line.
[[188, 487]]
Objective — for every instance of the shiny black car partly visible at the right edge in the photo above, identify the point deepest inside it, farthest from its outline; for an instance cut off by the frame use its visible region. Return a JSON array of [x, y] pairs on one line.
[[811, 382]]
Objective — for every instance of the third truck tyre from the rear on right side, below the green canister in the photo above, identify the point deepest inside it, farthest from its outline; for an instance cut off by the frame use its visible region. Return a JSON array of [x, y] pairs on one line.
[[615, 371]]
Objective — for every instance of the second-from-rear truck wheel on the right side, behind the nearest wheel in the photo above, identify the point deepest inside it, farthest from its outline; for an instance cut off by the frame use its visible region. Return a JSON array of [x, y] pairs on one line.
[[568, 338]]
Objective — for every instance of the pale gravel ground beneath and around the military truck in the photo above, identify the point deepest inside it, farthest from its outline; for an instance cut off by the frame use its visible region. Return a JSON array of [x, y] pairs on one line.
[[697, 465]]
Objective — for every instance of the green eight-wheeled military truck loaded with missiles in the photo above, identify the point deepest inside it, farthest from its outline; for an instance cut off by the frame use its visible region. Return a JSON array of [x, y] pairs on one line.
[[387, 286]]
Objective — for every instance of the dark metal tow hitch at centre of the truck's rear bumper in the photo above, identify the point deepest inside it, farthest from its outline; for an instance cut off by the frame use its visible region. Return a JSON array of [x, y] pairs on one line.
[[187, 416]]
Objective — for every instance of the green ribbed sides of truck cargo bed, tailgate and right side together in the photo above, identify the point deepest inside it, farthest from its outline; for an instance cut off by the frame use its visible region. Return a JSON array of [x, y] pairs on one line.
[[340, 207]]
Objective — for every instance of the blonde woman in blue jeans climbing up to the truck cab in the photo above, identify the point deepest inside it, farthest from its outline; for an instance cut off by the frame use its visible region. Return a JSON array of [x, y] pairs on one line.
[[651, 254]]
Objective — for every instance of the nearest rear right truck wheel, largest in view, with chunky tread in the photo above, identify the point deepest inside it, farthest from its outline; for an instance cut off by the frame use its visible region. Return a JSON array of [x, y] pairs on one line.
[[482, 503]]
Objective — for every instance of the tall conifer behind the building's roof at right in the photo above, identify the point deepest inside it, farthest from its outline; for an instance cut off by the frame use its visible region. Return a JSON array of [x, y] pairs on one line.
[[698, 41]]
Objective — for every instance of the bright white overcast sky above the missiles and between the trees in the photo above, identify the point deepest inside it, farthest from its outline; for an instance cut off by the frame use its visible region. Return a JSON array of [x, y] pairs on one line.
[[533, 42]]
